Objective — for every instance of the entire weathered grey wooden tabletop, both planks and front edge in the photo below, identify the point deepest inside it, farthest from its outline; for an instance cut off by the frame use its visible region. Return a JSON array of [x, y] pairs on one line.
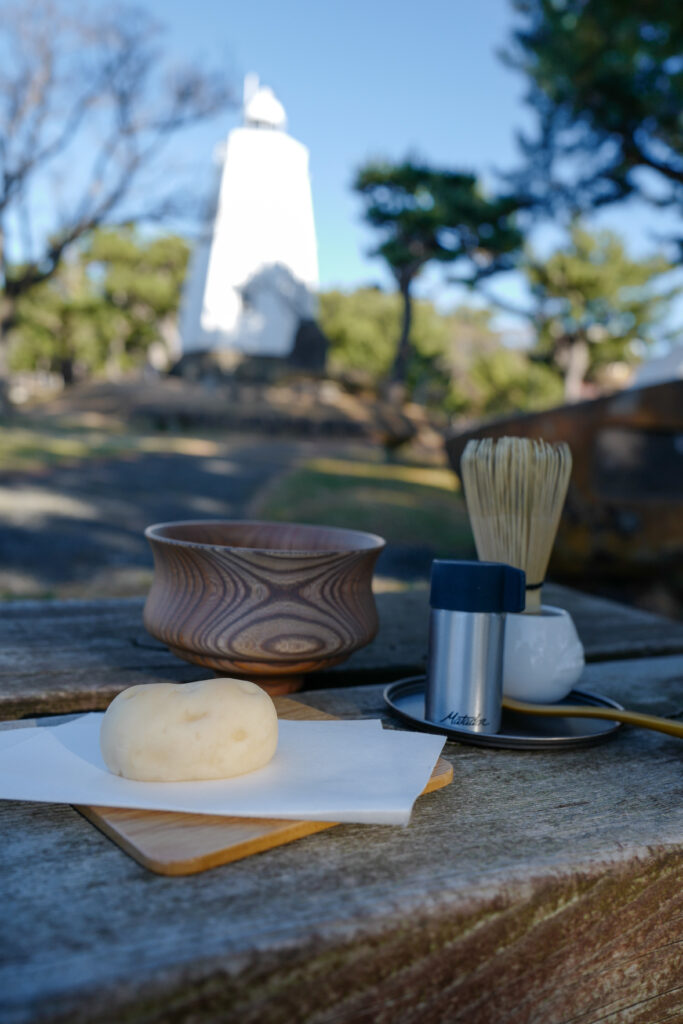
[[539, 887]]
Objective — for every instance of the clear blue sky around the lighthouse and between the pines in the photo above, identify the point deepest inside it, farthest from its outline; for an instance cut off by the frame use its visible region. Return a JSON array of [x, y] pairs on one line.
[[370, 78]]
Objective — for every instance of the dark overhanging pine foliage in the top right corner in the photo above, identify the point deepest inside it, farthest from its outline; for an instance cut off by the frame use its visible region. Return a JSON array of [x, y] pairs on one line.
[[607, 82]]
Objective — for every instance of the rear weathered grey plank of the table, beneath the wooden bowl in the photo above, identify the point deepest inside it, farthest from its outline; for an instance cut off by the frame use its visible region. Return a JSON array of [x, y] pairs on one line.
[[77, 656]]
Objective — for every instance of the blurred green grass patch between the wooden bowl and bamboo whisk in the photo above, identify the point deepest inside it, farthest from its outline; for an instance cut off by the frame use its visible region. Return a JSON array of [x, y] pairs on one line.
[[407, 504]]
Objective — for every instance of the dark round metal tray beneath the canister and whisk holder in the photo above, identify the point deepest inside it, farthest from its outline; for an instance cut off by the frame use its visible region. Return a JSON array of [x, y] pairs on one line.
[[407, 700]]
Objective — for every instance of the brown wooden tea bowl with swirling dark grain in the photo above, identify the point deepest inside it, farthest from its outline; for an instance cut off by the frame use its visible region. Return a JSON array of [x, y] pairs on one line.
[[267, 602]]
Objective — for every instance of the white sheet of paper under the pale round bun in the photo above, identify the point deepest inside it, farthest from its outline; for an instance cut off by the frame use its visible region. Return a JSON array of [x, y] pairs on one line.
[[322, 772]]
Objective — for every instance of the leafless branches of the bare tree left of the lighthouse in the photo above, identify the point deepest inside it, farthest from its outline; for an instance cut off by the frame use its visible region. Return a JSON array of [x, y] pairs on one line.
[[63, 81]]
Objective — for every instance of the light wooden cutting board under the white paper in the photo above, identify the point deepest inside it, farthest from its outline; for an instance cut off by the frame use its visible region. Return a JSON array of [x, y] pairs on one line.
[[169, 843]]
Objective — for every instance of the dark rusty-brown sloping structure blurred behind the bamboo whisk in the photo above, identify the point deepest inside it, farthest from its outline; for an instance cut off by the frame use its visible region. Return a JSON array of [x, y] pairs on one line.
[[624, 515]]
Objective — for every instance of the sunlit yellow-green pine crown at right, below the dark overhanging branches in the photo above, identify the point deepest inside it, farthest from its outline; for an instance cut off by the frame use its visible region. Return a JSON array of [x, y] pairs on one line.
[[593, 294]]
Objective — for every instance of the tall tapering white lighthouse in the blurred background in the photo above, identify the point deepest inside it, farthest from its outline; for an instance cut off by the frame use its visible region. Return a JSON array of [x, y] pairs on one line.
[[253, 276]]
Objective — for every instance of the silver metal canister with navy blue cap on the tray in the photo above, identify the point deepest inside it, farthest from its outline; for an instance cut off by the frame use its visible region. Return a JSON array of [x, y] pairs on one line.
[[468, 603]]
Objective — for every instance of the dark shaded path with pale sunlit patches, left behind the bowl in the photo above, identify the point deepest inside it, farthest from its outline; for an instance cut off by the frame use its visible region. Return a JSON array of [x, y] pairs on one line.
[[73, 531]]
